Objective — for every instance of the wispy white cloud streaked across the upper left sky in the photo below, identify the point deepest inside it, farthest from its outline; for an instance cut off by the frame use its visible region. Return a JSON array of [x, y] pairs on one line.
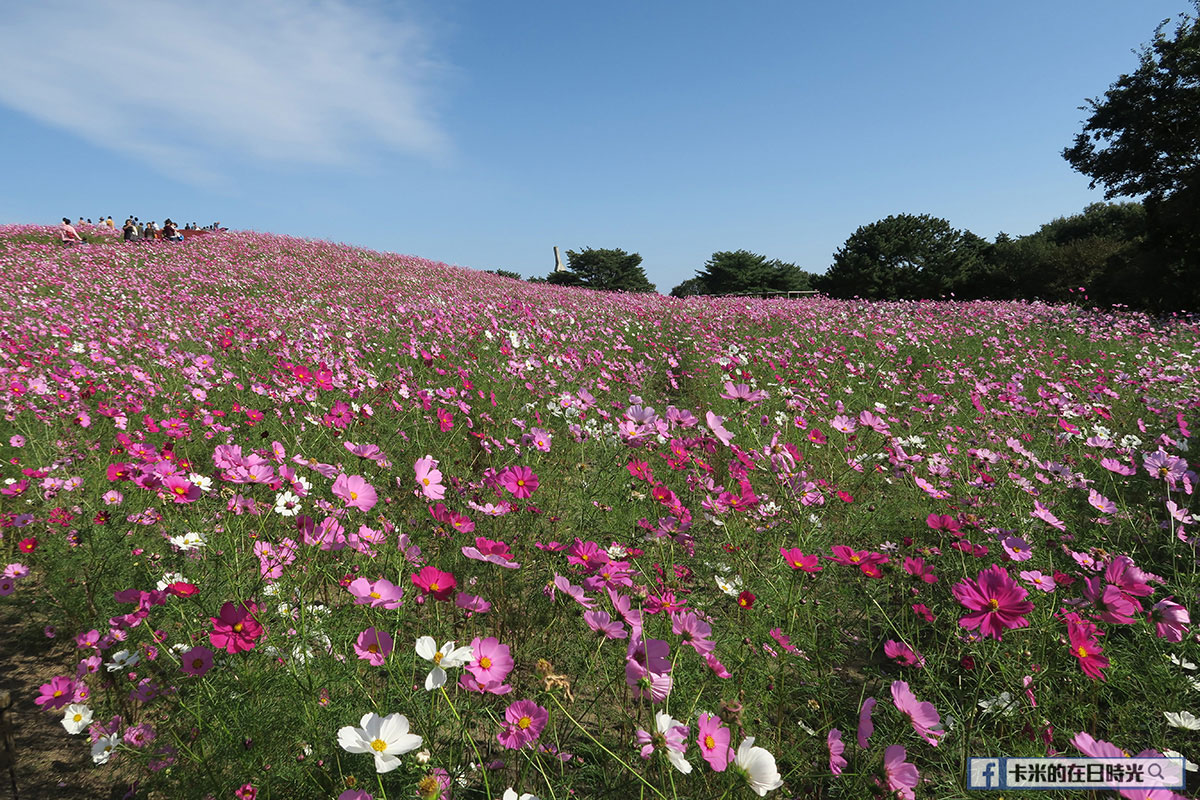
[[200, 88]]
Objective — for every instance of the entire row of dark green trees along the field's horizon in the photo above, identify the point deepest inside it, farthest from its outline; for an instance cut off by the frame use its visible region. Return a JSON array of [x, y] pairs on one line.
[[1142, 141]]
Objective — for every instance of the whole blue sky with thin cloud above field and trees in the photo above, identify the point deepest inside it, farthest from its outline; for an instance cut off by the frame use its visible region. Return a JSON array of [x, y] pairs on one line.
[[484, 134]]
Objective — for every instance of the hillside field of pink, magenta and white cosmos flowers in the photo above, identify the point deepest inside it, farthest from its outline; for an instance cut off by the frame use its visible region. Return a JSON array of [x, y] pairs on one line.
[[329, 524]]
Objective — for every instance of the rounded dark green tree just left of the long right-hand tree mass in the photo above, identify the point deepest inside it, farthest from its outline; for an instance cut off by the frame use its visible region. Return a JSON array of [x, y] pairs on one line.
[[907, 257]]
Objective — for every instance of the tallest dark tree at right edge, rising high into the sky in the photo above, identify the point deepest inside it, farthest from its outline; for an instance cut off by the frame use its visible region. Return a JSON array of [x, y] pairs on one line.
[[1143, 139]]
